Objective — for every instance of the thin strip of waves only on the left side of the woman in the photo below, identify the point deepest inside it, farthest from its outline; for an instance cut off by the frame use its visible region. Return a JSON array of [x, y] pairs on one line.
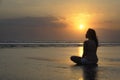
[[47, 44]]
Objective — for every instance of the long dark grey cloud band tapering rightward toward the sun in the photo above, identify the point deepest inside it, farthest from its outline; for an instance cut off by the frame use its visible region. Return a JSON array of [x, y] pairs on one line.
[[33, 22]]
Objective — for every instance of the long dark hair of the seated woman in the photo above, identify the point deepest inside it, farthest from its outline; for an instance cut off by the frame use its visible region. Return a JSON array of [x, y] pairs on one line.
[[91, 34]]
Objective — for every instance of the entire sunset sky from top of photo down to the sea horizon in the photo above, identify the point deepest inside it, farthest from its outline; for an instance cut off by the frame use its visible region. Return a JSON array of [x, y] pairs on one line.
[[32, 20]]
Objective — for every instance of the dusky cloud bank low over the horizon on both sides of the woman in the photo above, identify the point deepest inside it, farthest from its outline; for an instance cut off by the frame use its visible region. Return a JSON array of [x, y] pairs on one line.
[[47, 28]]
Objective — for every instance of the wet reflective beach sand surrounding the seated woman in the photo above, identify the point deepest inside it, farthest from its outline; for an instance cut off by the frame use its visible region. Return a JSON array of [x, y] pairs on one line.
[[53, 63]]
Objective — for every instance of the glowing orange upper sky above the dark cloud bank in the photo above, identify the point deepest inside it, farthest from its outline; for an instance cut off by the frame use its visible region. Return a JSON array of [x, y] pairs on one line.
[[75, 11]]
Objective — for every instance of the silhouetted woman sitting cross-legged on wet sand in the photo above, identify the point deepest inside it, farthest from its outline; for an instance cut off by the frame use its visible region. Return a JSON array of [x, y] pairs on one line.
[[90, 49]]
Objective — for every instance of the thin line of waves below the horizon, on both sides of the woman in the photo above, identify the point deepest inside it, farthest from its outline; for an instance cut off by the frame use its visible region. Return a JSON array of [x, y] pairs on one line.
[[52, 44]]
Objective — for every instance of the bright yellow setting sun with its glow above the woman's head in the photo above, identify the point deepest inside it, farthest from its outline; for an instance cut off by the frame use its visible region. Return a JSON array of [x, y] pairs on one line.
[[78, 22]]
